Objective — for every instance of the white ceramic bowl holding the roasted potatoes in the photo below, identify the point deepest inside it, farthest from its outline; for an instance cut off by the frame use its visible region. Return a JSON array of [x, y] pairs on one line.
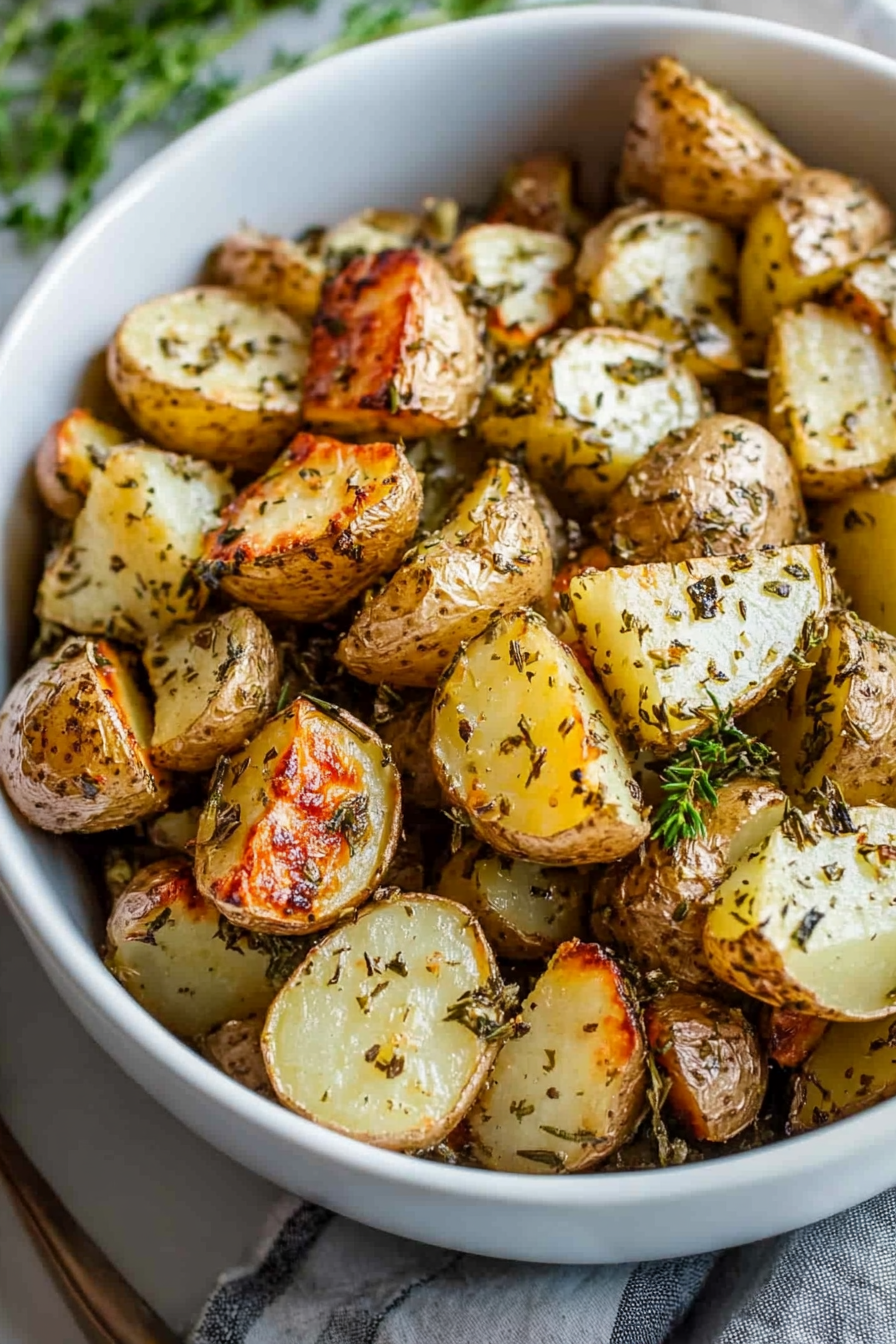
[[441, 111]]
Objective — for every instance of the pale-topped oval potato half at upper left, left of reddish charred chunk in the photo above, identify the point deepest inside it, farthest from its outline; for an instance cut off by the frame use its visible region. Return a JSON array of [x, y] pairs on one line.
[[210, 373]]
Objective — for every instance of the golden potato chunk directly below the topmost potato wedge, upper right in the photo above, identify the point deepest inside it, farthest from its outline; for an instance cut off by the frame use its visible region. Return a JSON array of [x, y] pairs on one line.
[[803, 241]]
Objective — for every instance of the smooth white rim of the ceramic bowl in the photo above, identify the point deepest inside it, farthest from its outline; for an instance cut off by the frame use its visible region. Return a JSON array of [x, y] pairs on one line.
[[30, 896]]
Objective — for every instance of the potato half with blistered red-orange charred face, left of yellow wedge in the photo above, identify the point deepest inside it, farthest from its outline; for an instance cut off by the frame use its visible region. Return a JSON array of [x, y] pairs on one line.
[[300, 826]]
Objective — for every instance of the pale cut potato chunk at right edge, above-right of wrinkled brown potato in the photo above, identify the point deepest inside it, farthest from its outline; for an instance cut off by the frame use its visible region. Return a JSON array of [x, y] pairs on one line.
[[832, 400]]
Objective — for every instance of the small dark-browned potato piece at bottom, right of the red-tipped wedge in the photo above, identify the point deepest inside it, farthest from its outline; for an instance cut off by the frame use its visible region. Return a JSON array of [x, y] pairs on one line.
[[713, 1060]]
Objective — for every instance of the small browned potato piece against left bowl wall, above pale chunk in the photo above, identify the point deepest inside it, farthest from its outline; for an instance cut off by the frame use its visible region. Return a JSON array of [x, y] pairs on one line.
[[71, 454]]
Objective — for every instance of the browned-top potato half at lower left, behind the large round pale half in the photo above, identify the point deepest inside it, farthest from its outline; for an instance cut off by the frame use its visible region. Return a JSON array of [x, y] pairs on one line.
[[166, 944]]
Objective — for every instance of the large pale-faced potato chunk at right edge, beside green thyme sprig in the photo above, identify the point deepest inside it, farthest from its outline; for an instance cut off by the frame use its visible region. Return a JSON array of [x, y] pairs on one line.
[[808, 919]]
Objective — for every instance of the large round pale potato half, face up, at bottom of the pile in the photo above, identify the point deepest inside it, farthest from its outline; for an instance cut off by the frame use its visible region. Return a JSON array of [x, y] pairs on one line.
[[379, 1033]]
